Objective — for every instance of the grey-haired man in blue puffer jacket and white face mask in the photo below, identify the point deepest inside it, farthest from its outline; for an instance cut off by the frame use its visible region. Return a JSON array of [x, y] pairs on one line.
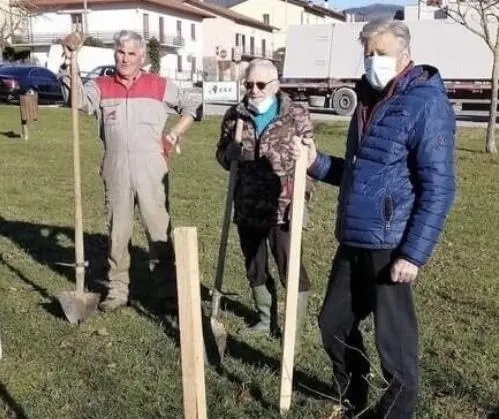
[[397, 185]]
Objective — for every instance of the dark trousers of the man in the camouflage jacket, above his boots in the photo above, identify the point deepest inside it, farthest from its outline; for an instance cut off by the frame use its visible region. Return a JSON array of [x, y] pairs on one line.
[[254, 247]]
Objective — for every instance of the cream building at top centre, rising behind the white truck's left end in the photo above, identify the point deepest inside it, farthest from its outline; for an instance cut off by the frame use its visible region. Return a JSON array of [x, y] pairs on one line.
[[283, 13]]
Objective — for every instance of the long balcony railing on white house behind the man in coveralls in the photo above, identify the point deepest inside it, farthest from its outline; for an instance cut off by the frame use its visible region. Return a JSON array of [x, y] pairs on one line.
[[106, 38]]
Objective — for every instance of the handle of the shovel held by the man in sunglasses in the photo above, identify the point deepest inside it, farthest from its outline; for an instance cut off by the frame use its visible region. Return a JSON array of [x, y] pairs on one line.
[[222, 250]]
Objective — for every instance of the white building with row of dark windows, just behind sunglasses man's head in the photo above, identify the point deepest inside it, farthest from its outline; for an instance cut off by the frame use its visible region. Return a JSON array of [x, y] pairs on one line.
[[227, 33]]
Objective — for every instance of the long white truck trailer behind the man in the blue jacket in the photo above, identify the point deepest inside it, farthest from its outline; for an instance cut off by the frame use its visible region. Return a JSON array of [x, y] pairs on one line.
[[323, 62]]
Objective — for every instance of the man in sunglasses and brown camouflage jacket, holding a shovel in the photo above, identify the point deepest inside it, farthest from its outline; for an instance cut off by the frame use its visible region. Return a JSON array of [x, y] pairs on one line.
[[263, 190]]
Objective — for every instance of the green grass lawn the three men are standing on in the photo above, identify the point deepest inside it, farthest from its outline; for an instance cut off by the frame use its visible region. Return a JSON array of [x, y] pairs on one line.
[[127, 364]]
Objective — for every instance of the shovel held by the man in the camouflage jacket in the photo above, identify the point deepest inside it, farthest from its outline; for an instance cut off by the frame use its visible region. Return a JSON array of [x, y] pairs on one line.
[[218, 329]]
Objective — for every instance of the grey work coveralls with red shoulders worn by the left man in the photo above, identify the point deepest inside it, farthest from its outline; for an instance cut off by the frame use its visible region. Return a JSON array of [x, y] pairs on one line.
[[131, 122]]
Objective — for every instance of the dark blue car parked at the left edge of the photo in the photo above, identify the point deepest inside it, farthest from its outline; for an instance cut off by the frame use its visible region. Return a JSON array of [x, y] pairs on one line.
[[15, 80]]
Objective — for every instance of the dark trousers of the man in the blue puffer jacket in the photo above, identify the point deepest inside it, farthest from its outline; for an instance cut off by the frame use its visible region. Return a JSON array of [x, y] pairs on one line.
[[360, 284]]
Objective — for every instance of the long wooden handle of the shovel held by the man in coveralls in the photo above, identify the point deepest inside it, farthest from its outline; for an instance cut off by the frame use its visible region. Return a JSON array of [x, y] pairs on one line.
[[79, 249]]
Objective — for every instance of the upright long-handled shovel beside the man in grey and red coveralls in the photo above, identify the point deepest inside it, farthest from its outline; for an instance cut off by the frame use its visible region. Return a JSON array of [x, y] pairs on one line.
[[77, 305]]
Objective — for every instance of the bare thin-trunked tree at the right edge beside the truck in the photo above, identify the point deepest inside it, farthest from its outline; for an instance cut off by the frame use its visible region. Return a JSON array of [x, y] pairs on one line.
[[482, 18]]
